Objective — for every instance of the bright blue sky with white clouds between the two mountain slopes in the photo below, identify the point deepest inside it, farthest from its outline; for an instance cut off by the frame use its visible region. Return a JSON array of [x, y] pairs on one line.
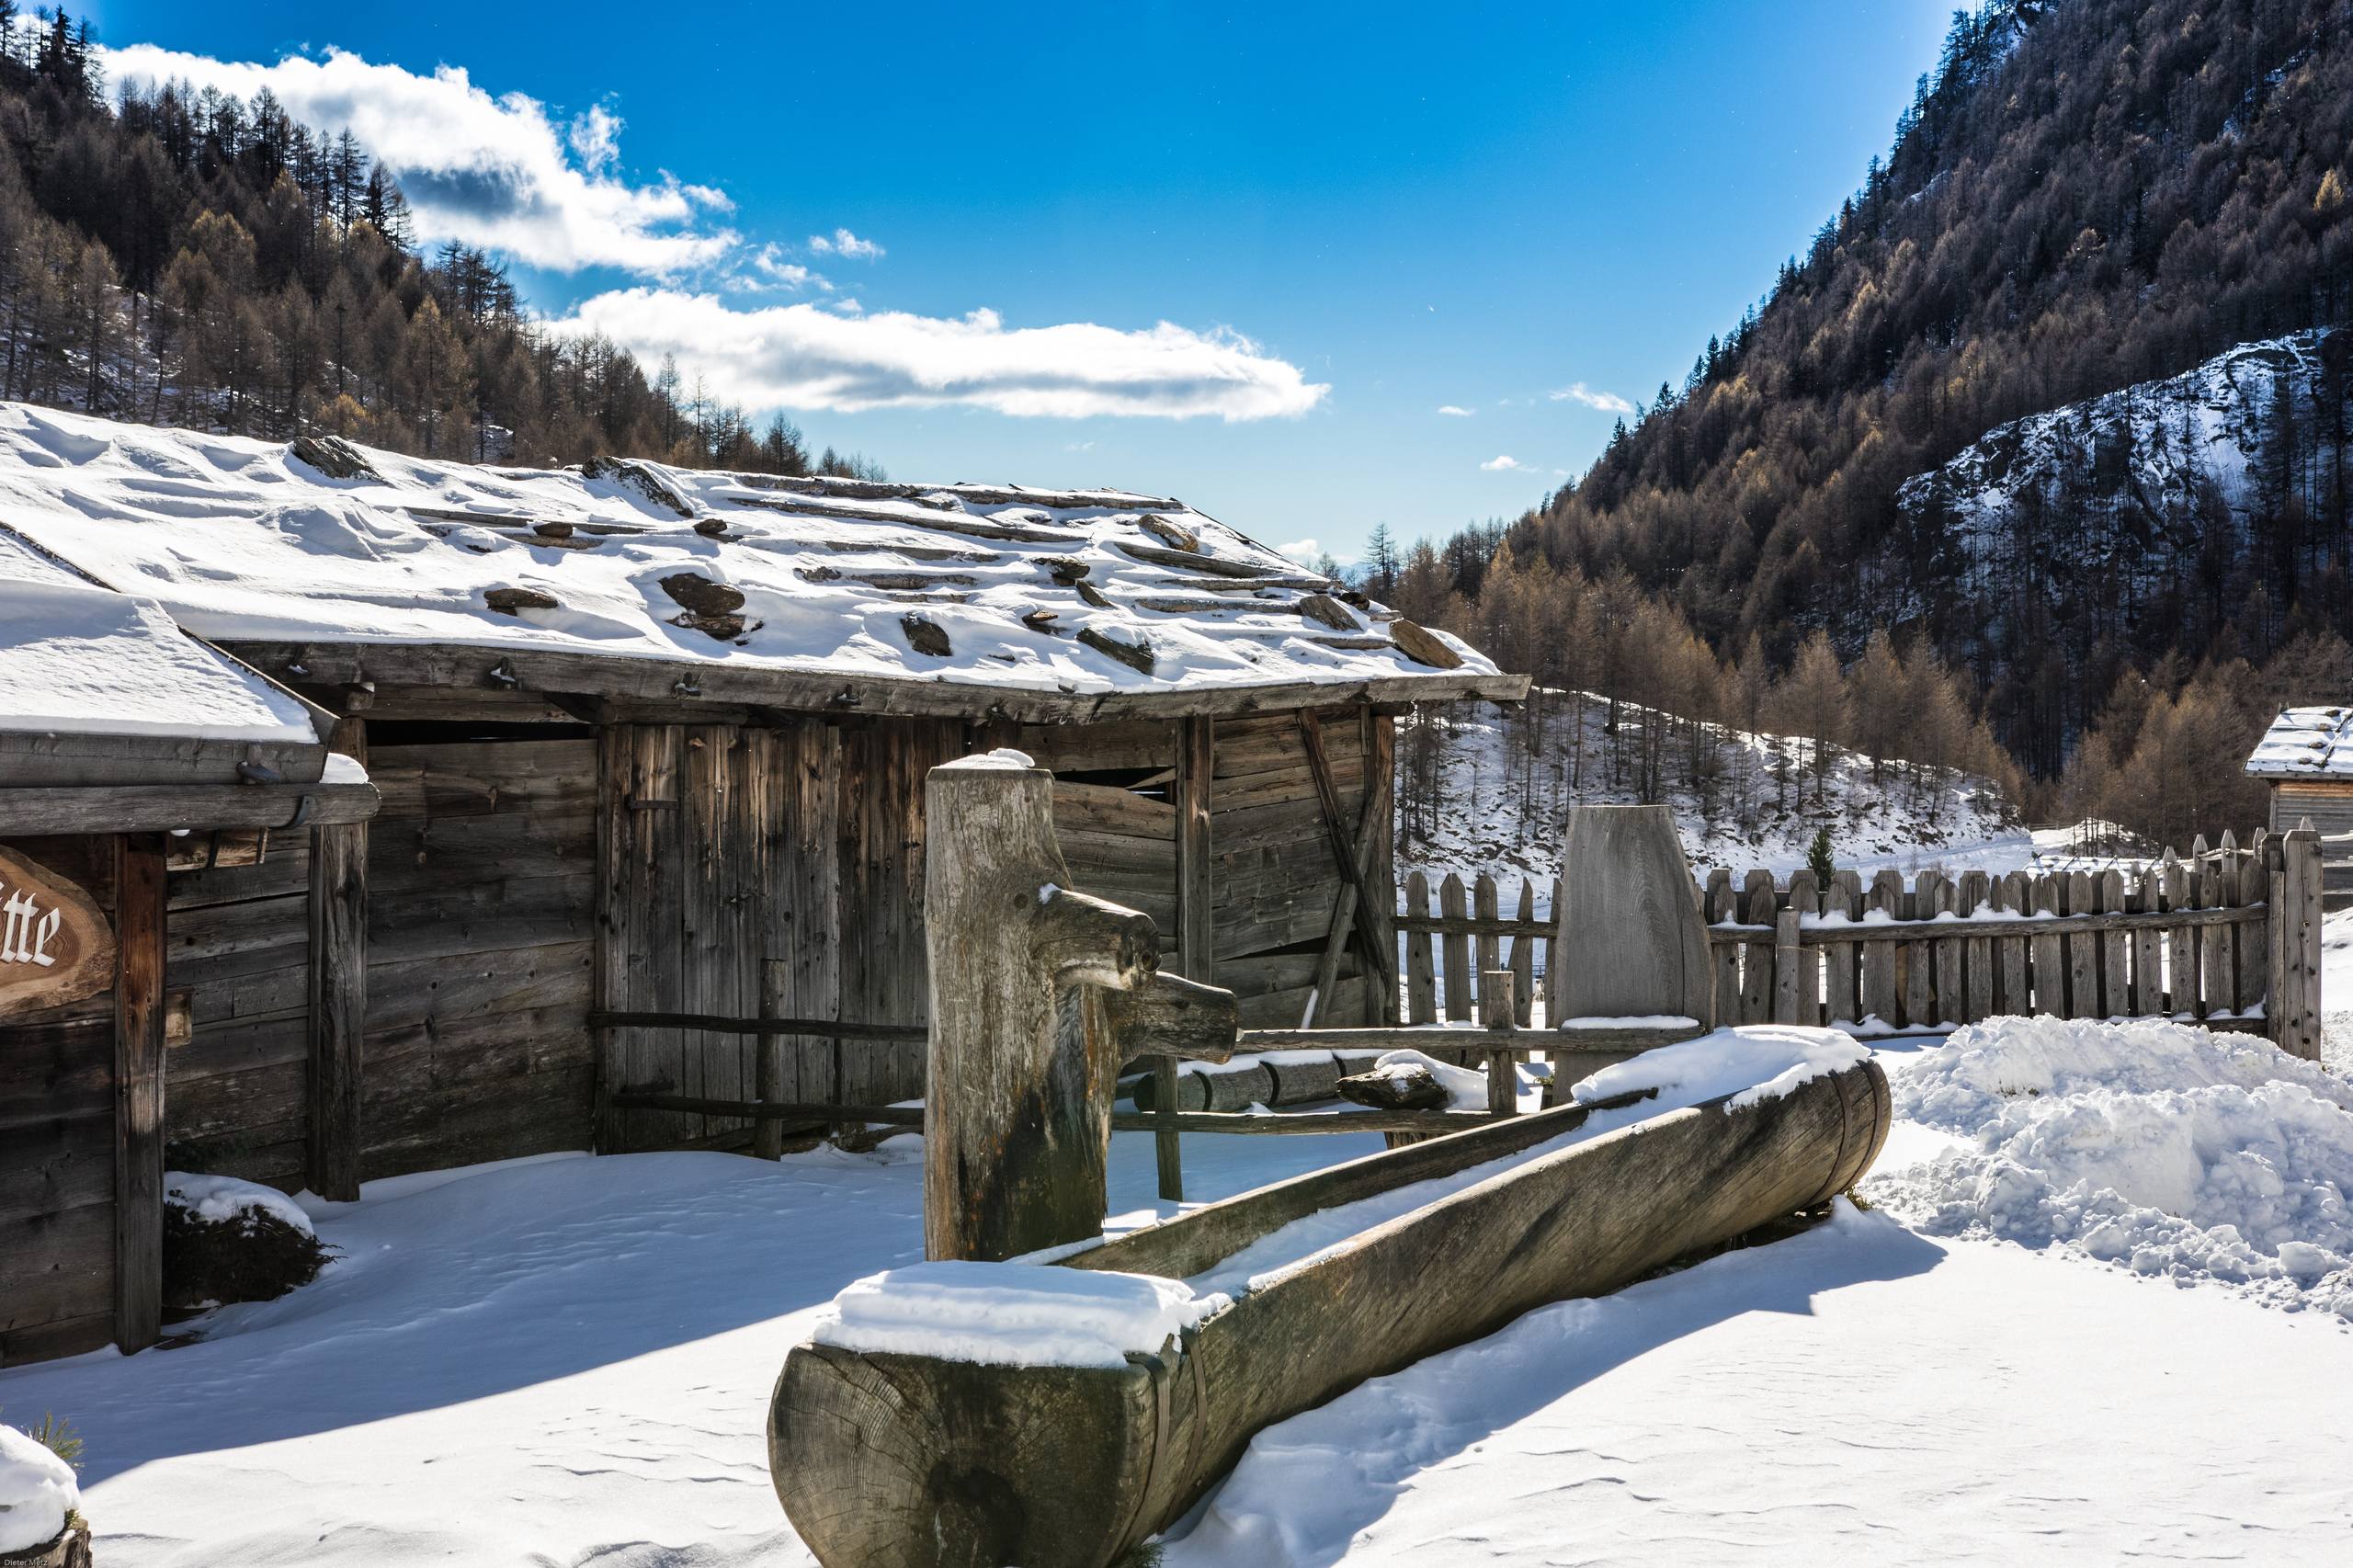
[[1352, 218]]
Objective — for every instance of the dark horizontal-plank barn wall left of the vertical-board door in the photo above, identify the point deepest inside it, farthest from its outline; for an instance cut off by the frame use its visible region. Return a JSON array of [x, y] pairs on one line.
[[479, 877]]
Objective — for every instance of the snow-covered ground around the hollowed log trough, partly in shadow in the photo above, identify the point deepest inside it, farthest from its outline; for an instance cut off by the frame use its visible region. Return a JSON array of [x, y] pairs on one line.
[[568, 1362]]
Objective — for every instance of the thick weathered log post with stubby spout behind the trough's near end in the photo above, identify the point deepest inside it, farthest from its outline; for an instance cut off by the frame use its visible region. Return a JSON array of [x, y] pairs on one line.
[[1022, 1065]]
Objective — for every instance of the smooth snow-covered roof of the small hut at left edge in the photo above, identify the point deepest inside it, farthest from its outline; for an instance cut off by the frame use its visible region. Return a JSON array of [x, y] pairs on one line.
[[86, 660]]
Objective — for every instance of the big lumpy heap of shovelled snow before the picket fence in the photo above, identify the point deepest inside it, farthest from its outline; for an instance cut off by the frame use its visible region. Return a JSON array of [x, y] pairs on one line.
[[2154, 1145]]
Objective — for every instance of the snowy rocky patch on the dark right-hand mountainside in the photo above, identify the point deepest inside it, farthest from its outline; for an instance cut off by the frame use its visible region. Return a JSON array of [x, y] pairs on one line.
[[2114, 496]]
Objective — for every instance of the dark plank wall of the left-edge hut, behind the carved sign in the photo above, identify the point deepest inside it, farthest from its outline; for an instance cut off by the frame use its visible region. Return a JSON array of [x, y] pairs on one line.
[[58, 1150]]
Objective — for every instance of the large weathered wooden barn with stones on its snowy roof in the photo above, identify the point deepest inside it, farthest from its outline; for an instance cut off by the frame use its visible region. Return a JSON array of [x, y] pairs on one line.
[[651, 748]]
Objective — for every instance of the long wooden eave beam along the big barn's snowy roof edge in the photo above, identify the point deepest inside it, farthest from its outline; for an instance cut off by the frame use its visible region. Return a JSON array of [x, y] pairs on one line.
[[491, 667]]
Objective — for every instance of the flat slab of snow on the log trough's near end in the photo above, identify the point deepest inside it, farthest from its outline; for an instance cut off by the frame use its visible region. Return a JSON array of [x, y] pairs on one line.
[[1013, 1315]]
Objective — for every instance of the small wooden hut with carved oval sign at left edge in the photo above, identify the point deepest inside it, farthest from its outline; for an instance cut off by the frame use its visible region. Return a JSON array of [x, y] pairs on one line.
[[131, 755]]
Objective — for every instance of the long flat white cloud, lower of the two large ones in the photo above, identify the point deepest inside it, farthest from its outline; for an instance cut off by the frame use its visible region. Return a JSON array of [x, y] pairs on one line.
[[815, 359]]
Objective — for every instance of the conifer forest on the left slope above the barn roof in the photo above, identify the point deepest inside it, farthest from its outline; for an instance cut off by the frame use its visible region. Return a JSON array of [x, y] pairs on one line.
[[189, 258]]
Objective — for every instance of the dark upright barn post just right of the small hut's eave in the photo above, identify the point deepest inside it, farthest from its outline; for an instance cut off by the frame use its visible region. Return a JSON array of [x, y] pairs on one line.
[[338, 990]]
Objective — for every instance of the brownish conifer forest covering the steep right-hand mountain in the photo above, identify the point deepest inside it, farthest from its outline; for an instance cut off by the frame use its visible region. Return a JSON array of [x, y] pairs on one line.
[[2084, 197]]
